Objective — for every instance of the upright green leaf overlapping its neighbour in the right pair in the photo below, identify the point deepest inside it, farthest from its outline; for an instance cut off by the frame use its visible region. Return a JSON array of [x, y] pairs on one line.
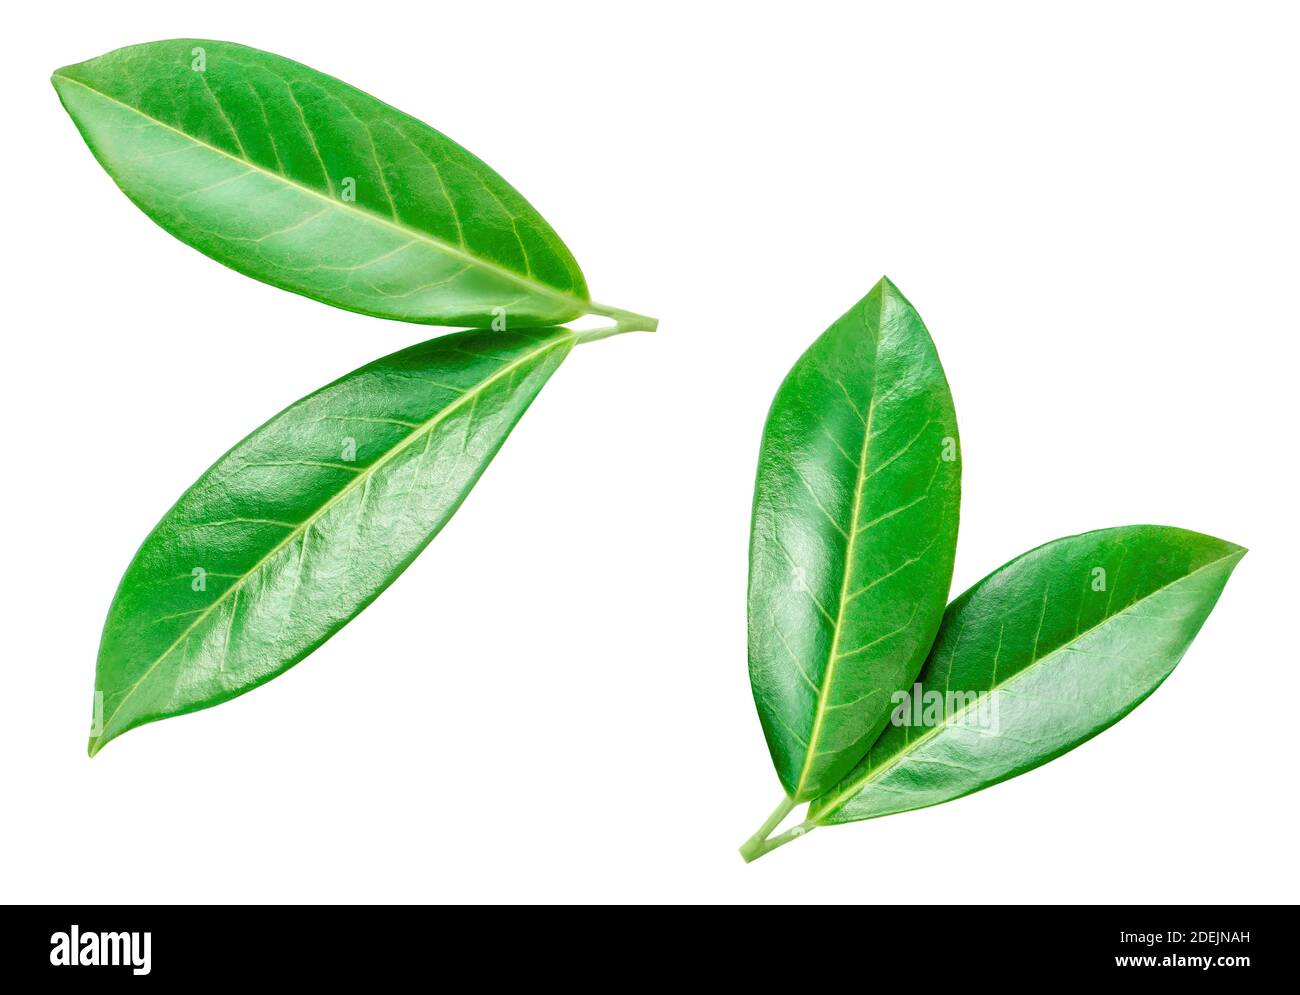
[[853, 538]]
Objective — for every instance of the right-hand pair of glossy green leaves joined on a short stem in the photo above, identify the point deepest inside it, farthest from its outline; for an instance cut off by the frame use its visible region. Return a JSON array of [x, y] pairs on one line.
[[874, 699]]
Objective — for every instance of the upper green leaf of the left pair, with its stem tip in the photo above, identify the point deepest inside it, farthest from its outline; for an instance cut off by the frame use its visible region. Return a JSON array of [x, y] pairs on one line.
[[298, 180]]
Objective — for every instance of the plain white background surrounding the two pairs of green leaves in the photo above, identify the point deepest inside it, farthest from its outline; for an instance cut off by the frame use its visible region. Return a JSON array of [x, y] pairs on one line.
[[1097, 215]]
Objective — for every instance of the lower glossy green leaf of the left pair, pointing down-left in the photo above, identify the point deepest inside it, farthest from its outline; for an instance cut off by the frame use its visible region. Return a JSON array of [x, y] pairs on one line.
[[304, 524]]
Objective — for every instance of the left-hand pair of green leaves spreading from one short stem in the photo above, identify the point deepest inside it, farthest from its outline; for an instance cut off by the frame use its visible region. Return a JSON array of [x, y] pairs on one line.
[[310, 185]]
